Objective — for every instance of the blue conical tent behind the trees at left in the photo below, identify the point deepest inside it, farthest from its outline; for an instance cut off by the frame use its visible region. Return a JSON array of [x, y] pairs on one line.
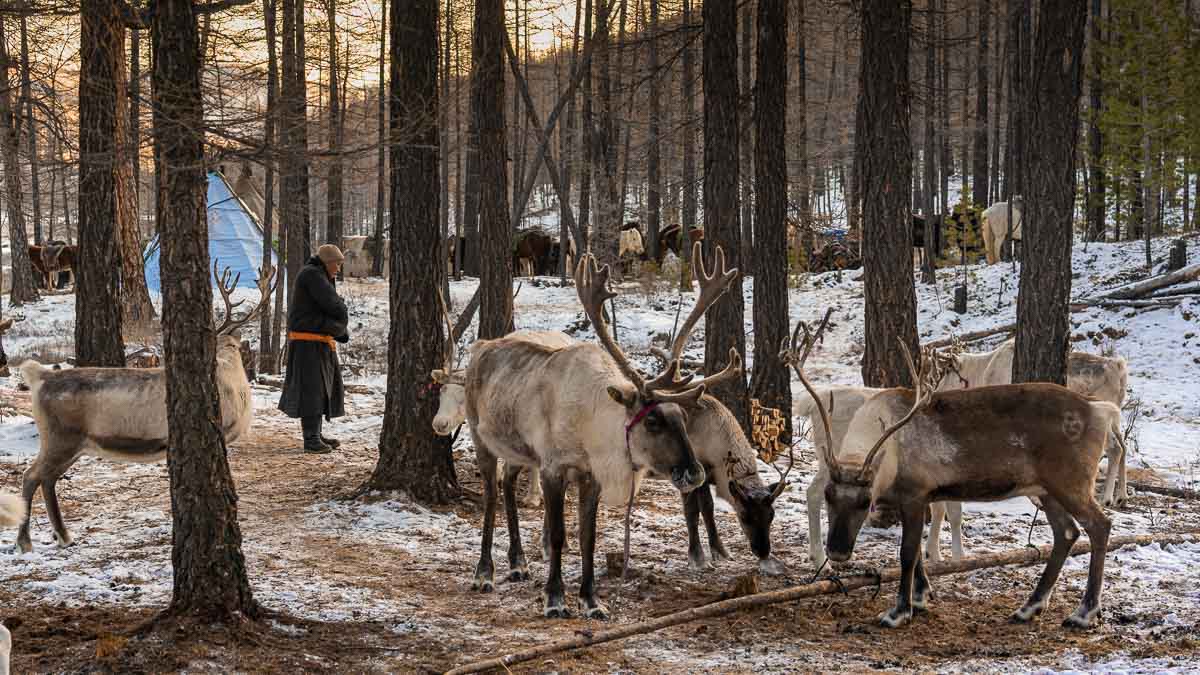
[[236, 238]]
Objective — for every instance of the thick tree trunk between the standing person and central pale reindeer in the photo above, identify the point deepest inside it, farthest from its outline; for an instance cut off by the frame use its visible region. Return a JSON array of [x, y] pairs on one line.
[[411, 458]]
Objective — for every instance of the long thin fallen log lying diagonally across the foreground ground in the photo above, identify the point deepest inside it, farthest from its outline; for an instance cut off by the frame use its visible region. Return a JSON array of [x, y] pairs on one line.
[[824, 588]]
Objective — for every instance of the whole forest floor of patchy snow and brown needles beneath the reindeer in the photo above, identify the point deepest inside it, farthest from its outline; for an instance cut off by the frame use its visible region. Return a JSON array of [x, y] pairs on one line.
[[385, 586]]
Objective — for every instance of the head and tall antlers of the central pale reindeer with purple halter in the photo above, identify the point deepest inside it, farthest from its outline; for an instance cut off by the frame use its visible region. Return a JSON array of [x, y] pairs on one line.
[[656, 410]]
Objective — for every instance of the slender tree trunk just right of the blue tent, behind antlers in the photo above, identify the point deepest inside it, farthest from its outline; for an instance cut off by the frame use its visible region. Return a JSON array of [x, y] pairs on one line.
[[268, 339]]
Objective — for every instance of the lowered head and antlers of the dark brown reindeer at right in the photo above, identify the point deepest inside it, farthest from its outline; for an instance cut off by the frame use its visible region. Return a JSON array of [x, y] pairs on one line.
[[849, 493]]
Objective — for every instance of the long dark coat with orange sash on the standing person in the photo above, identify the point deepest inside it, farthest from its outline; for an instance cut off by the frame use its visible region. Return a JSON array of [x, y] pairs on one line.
[[314, 384]]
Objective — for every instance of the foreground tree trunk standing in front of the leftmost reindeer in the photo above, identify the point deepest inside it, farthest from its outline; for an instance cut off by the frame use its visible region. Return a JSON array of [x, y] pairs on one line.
[[209, 568]]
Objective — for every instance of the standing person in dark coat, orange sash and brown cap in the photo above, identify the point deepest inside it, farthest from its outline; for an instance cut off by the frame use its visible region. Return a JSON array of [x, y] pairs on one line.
[[317, 320]]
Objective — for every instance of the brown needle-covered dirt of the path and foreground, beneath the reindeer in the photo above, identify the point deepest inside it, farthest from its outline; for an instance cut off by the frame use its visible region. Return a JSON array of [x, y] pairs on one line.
[[433, 622]]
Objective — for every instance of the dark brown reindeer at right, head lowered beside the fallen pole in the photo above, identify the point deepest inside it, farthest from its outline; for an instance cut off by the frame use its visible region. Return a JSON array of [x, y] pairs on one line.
[[945, 446]]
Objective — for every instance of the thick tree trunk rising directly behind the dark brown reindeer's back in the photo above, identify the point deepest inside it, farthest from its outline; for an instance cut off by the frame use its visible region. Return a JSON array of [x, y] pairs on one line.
[[1043, 316]]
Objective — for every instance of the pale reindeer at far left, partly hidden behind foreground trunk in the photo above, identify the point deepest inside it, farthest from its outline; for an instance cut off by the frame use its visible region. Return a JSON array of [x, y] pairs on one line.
[[121, 414]]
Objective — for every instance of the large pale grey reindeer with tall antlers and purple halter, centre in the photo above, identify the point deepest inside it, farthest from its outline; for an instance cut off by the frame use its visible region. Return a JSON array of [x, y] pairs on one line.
[[578, 414]]
